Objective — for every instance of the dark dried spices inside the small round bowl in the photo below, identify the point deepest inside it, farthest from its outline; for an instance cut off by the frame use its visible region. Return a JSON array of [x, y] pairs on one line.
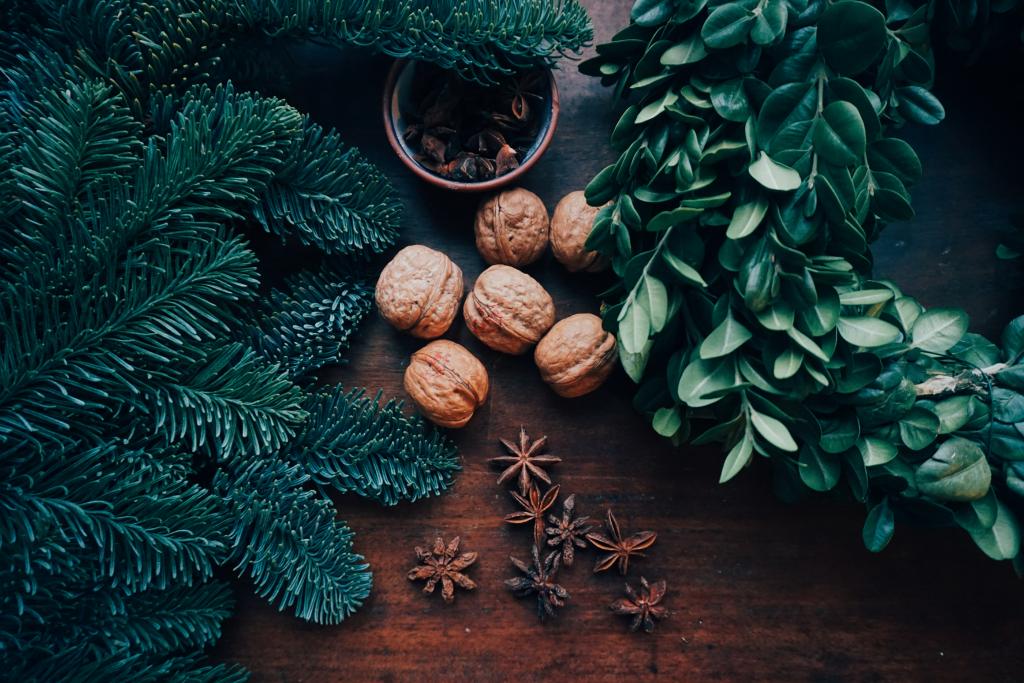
[[473, 133]]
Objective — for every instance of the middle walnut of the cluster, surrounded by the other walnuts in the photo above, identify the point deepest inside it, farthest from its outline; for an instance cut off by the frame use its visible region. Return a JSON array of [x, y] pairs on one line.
[[508, 311]]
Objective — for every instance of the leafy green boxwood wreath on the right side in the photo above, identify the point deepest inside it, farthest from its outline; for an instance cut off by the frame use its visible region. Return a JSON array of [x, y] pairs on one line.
[[757, 163]]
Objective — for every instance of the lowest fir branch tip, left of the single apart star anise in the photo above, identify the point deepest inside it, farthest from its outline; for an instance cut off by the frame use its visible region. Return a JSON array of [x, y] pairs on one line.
[[288, 540]]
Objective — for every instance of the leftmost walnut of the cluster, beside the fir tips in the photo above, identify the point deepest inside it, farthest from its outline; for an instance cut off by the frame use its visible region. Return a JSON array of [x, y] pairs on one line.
[[419, 292]]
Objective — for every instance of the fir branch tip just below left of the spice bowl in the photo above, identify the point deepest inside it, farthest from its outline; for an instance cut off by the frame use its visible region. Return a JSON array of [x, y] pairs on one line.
[[328, 196]]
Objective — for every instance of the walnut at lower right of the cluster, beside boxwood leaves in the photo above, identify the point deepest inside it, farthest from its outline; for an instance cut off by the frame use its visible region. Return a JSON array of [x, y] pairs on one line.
[[577, 356]]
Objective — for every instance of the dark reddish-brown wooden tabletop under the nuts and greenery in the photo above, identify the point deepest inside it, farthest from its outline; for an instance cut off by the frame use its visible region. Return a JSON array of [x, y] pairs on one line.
[[758, 590]]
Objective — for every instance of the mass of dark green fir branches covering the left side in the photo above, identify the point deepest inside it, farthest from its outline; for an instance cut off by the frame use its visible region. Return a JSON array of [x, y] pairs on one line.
[[160, 422]]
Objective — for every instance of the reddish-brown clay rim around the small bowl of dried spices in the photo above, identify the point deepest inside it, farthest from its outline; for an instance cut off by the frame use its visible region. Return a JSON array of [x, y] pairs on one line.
[[406, 155]]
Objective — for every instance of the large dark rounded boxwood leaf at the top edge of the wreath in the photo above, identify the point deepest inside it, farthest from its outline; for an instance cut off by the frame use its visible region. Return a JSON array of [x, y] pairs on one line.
[[851, 36]]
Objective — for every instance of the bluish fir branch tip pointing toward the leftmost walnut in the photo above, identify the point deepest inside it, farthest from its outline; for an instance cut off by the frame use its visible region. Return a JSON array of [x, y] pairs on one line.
[[310, 324]]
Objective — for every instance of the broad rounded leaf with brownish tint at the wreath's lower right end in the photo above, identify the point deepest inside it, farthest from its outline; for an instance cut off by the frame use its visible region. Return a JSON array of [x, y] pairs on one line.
[[958, 472]]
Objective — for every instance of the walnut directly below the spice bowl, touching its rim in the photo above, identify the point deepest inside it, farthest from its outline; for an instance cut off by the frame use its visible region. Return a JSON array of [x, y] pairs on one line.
[[511, 228]]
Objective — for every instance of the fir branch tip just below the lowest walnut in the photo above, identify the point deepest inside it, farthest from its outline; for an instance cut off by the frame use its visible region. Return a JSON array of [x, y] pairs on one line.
[[354, 444]]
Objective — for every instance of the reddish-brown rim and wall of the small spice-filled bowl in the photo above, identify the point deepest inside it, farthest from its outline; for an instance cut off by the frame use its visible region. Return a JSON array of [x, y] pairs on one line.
[[396, 101]]
